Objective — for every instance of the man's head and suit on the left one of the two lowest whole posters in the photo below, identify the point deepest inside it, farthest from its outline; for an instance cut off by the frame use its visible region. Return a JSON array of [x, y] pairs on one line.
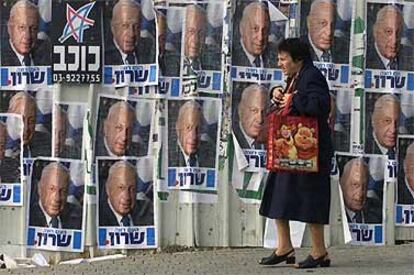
[[52, 209]]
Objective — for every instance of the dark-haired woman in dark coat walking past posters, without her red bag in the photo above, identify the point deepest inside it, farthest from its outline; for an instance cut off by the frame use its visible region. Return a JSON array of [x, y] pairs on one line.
[[294, 196]]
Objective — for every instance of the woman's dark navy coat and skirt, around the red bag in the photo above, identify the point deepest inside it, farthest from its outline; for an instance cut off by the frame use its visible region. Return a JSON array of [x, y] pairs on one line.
[[296, 196]]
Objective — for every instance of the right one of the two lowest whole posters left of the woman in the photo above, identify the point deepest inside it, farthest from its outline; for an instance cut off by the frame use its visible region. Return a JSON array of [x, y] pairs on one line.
[[126, 203]]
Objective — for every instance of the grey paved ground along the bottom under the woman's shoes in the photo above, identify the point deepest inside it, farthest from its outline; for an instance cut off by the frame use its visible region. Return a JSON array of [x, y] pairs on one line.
[[397, 259]]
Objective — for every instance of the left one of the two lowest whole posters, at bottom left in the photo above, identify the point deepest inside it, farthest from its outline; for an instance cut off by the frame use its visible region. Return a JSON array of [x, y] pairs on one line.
[[56, 209]]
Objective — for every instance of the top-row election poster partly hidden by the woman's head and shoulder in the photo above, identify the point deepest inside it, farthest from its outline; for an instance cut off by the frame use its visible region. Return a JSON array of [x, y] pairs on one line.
[[326, 27]]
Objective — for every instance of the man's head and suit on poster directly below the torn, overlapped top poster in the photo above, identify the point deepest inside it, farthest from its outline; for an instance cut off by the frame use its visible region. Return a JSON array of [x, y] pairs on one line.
[[189, 150]]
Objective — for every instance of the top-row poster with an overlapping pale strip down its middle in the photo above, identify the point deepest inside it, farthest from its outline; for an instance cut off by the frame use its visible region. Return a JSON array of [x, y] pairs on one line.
[[190, 55]]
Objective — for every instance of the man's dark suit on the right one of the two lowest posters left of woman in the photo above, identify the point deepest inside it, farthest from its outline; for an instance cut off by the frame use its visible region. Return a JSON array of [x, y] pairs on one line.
[[142, 214]]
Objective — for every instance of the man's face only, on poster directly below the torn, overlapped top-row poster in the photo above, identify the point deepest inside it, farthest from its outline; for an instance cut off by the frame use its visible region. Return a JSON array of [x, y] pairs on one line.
[[188, 130]]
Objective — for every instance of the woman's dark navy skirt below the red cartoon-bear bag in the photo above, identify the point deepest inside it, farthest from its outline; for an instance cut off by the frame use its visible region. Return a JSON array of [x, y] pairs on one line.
[[297, 197]]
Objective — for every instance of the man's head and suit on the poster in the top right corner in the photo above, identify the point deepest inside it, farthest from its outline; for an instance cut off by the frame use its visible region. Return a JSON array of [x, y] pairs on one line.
[[385, 50]]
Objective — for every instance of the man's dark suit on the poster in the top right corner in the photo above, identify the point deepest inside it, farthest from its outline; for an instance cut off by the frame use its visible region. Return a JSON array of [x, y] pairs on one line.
[[405, 59]]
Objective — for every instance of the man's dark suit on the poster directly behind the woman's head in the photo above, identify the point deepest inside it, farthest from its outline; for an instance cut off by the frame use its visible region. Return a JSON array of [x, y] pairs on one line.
[[339, 50]]
